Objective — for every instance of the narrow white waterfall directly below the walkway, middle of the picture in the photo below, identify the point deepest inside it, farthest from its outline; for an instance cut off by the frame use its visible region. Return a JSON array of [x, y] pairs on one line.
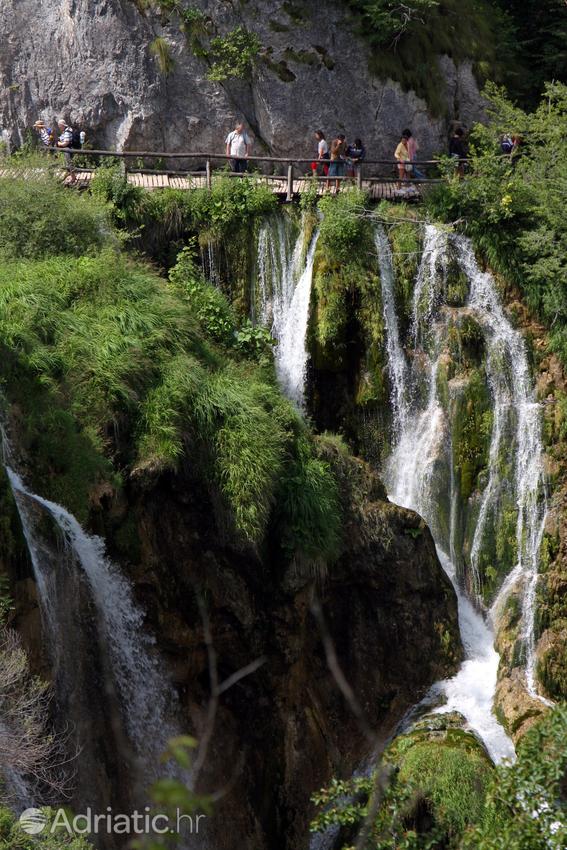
[[285, 277]]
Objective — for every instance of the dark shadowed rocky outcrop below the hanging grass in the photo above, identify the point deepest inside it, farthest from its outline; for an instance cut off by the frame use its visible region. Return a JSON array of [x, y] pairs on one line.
[[284, 730]]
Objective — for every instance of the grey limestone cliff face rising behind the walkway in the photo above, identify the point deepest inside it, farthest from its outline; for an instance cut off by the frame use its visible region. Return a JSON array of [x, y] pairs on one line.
[[89, 59]]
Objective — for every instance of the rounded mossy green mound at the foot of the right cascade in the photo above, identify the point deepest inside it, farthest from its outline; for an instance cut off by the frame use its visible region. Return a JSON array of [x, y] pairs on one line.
[[435, 789]]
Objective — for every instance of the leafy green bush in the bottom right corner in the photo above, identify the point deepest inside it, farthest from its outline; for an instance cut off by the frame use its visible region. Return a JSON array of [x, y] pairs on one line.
[[526, 805]]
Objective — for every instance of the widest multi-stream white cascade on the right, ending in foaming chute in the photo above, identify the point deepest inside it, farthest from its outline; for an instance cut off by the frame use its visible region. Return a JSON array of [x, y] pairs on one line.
[[422, 450]]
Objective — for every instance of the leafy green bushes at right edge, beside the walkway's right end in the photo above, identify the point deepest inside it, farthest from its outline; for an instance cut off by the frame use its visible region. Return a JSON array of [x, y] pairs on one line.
[[514, 210]]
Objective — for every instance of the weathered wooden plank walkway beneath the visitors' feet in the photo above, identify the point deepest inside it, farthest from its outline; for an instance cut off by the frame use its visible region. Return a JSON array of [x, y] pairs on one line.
[[378, 189]]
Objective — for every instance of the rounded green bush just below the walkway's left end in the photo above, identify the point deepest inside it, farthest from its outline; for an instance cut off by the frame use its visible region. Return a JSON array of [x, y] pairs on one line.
[[39, 219]]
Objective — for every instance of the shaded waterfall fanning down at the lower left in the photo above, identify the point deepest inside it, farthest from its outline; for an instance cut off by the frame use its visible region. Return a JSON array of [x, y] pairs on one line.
[[94, 633]]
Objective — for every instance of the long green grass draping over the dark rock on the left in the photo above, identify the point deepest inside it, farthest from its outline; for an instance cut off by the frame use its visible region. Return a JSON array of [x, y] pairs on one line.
[[146, 373]]
